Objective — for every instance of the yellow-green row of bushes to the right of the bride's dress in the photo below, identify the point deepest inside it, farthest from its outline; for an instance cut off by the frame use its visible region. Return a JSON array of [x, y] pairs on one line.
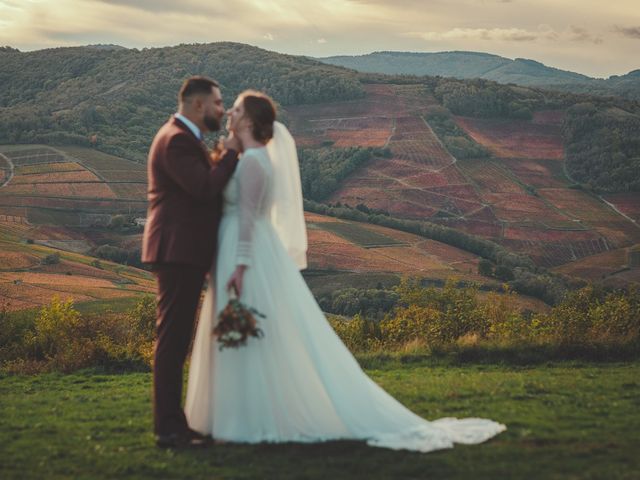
[[587, 320]]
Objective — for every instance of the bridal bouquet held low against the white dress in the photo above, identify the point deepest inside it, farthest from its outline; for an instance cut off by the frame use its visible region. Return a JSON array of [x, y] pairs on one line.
[[237, 322]]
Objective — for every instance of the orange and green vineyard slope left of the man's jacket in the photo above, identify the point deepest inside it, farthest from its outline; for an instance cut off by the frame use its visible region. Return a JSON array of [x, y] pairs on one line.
[[67, 185]]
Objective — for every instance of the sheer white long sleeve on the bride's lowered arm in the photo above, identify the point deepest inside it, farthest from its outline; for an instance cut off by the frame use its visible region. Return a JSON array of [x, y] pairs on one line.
[[252, 182]]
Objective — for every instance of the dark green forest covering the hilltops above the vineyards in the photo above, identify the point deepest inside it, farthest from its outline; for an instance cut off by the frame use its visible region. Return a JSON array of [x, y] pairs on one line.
[[114, 99]]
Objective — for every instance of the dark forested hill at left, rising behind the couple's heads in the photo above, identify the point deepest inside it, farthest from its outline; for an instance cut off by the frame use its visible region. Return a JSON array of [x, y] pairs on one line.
[[116, 99]]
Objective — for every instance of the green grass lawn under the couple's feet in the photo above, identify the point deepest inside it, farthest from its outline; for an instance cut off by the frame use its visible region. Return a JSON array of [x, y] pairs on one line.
[[565, 420]]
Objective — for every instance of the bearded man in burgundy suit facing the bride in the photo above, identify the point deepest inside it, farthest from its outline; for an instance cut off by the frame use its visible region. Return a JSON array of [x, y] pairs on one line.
[[185, 206]]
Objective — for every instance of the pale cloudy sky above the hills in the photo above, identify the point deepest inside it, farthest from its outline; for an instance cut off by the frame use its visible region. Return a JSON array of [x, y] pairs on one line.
[[592, 37]]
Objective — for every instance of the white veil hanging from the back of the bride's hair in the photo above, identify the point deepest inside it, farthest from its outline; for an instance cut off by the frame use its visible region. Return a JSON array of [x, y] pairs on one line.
[[287, 213]]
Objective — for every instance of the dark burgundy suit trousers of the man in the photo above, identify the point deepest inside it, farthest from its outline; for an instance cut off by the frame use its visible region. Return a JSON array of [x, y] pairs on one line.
[[179, 288]]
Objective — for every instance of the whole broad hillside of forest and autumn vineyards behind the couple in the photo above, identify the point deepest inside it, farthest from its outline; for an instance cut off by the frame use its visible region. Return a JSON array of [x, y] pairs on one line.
[[534, 171]]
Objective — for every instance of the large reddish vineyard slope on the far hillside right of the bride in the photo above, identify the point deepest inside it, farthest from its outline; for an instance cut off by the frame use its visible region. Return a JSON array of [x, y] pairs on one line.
[[519, 196]]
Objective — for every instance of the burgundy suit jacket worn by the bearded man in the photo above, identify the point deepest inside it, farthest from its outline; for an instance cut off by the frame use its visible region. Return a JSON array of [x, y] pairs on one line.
[[185, 198]]
